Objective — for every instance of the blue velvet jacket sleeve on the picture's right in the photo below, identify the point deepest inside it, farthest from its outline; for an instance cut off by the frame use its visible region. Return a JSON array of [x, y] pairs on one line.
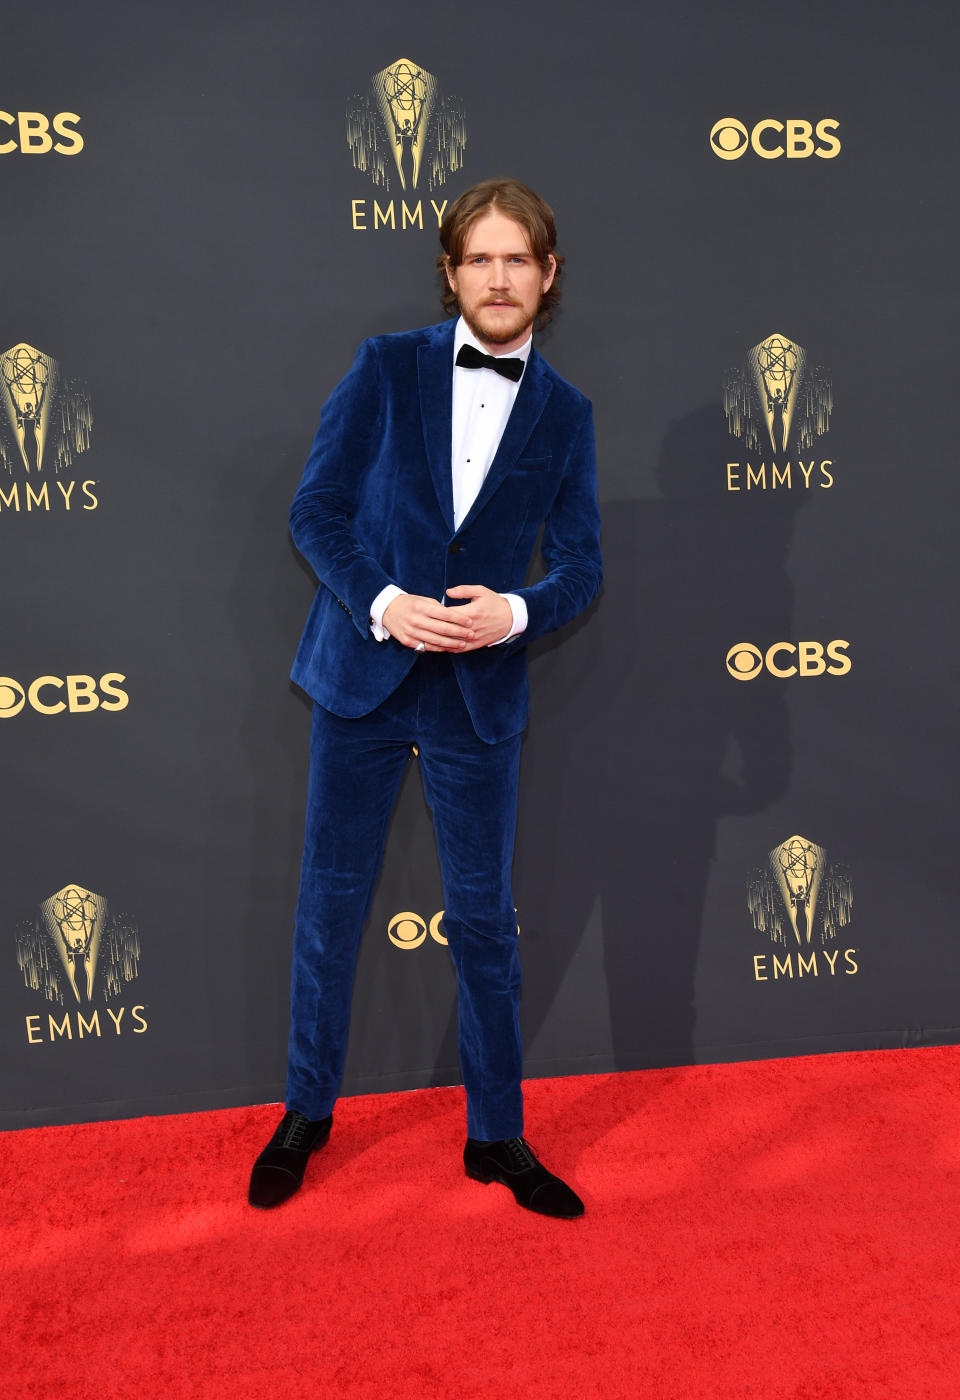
[[570, 545]]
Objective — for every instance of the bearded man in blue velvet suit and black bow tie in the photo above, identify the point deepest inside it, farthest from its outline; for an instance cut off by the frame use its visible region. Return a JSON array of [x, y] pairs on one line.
[[439, 460]]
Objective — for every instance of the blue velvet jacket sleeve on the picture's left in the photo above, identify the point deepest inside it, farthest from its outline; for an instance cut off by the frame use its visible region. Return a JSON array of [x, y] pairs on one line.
[[327, 500]]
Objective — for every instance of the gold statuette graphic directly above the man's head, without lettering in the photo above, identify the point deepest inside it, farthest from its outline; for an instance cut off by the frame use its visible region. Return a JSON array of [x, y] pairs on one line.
[[407, 122]]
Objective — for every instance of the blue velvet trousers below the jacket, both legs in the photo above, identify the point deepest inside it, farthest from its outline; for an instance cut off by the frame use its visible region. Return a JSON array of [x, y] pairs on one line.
[[471, 789]]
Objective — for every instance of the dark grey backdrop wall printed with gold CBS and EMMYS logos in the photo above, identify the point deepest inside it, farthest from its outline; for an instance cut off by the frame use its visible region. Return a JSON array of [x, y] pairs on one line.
[[737, 835]]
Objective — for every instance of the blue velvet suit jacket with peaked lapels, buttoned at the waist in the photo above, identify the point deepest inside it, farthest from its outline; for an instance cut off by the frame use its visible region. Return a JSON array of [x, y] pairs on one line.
[[376, 507]]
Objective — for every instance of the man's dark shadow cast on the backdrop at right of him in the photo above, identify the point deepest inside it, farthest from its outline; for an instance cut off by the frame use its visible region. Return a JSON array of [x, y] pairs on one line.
[[640, 744]]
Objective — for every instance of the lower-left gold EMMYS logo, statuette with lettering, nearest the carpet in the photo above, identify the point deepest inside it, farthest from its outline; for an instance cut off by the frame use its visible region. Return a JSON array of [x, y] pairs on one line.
[[78, 953]]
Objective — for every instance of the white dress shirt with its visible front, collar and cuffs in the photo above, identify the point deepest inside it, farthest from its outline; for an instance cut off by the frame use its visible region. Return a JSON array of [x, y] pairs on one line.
[[482, 405]]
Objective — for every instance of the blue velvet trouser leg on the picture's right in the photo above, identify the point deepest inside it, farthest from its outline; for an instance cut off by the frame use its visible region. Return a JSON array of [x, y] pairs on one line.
[[472, 792]]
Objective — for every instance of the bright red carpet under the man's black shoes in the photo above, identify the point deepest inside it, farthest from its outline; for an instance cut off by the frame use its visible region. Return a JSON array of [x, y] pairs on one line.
[[782, 1230]]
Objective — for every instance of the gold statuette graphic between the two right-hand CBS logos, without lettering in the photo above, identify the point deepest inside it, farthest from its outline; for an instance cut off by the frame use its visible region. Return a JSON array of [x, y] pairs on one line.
[[776, 400]]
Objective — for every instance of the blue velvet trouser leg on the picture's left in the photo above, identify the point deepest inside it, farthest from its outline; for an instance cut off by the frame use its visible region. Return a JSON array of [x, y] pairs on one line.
[[355, 776]]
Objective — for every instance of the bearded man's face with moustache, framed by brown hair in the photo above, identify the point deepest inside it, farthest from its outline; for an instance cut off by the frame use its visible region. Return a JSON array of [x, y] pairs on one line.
[[500, 283]]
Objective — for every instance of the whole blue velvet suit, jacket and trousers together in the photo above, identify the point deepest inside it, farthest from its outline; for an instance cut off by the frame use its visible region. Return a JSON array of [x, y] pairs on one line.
[[376, 507]]
